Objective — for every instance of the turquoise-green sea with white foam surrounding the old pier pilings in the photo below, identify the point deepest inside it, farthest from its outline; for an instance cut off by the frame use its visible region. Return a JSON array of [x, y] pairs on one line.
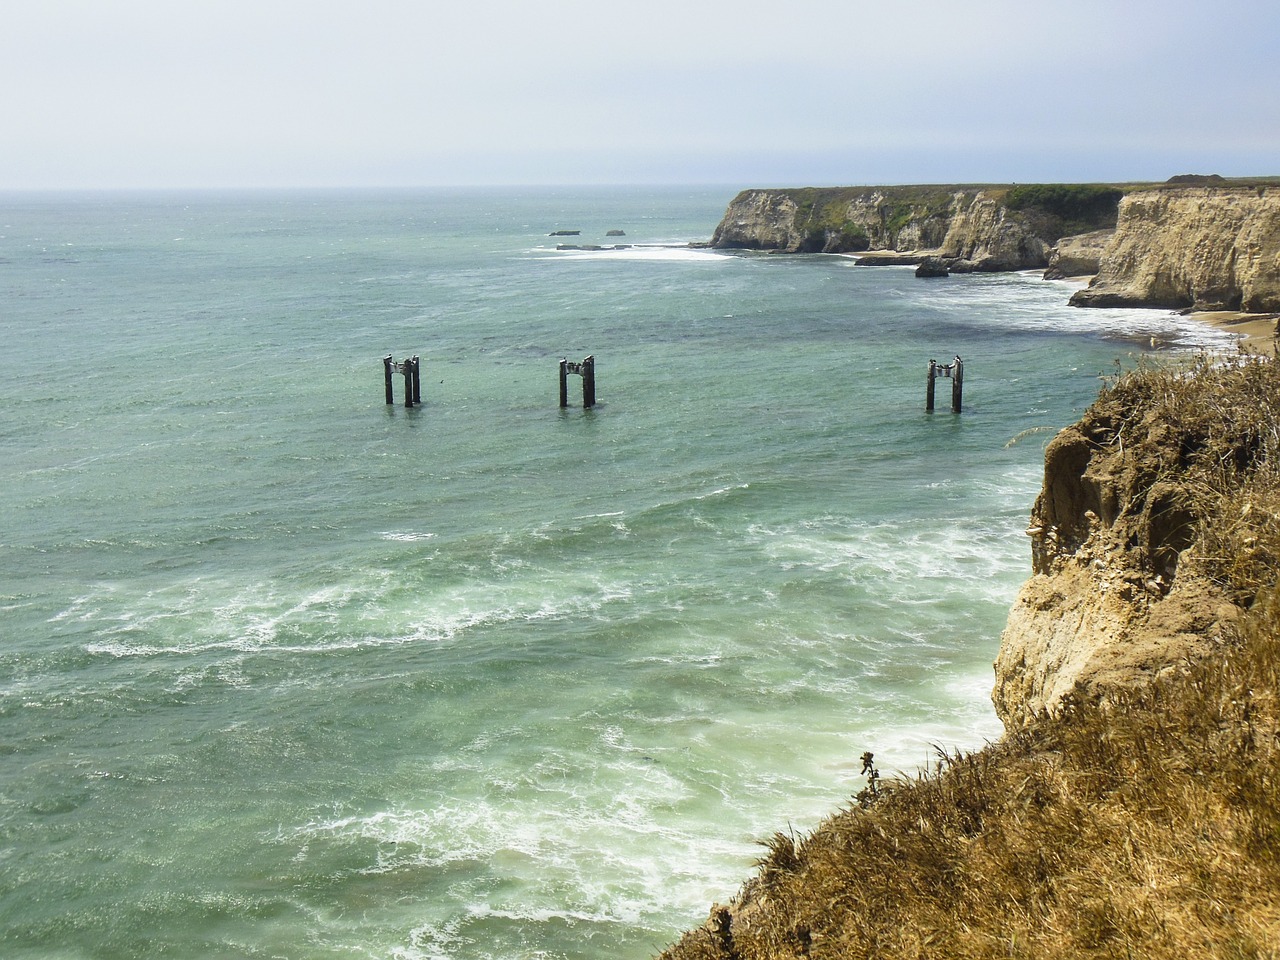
[[291, 673]]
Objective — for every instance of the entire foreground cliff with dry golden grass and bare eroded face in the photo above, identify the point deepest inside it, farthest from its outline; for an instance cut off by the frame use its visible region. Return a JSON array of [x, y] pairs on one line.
[[1131, 808]]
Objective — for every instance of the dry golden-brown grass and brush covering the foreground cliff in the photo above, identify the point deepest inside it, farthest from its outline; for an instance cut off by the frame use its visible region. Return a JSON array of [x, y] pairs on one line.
[[1141, 824]]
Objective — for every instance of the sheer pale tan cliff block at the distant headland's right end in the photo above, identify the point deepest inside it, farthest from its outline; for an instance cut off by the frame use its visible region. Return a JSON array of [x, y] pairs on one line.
[[1203, 248]]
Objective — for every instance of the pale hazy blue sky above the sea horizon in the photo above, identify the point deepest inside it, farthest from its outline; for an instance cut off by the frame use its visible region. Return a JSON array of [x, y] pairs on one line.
[[277, 94]]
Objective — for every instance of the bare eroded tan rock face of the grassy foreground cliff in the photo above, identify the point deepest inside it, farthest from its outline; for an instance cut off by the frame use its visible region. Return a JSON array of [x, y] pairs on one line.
[[1118, 593]]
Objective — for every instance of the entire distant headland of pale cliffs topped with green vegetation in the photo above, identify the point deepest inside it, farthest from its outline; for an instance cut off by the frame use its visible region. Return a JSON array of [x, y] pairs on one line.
[[1200, 243]]
